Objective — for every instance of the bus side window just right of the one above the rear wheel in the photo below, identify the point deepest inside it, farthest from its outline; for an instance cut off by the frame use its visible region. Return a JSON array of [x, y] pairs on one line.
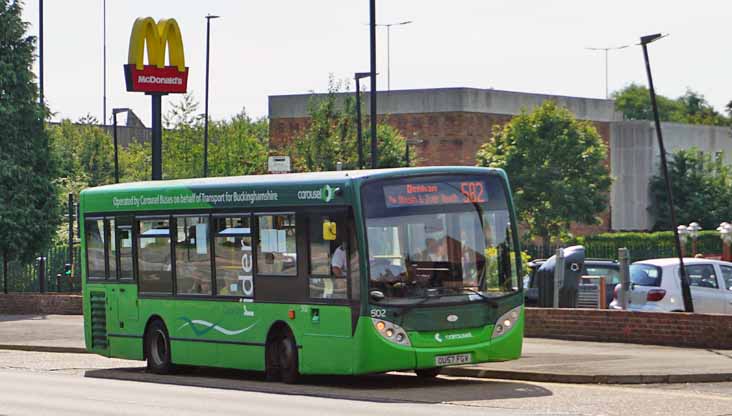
[[192, 260]]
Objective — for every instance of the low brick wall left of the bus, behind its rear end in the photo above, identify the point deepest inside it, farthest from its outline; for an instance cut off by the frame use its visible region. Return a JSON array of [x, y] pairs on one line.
[[40, 304]]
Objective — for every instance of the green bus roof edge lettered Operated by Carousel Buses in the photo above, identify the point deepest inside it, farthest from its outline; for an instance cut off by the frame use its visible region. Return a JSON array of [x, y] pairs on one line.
[[245, 191]]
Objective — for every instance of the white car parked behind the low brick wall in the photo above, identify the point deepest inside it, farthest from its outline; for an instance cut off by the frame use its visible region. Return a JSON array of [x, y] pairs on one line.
[[656, 286]]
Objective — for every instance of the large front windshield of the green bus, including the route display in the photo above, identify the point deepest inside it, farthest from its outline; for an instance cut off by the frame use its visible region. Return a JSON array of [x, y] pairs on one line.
[[440, 236]]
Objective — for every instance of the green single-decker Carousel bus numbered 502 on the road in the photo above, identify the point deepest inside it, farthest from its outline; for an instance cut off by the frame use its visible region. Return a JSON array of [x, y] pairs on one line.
[[347, 272]]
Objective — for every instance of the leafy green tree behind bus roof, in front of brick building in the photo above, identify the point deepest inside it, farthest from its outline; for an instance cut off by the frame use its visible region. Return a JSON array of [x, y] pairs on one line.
[[332, 137]]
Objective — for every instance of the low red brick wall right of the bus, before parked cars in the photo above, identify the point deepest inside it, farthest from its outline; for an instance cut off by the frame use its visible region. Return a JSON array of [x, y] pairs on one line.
[[672, 329]]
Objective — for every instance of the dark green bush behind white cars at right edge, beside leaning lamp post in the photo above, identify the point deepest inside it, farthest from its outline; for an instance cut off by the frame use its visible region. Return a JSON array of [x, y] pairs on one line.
[[702, 188]]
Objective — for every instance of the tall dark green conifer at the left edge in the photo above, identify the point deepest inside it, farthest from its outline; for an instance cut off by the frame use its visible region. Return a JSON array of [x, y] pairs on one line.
[[28, 206]]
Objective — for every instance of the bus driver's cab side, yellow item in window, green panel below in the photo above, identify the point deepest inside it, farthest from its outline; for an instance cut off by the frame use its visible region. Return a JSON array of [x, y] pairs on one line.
[[329, 320]]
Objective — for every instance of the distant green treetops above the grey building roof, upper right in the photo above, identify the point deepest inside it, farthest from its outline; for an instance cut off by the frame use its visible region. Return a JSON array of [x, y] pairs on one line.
[[635, 103]]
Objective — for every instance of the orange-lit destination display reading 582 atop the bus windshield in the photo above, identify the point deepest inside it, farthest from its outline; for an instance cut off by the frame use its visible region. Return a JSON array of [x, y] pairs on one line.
[[437, 193]]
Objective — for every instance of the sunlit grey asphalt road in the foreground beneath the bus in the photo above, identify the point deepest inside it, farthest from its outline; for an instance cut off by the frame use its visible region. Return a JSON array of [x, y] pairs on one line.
[[33, 383]]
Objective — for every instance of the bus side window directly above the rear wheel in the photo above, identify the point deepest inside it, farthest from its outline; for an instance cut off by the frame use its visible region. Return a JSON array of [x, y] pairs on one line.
[[153, 258]]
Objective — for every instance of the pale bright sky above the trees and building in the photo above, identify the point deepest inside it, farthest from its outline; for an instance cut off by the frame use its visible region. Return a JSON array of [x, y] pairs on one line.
[[273, 47]]
